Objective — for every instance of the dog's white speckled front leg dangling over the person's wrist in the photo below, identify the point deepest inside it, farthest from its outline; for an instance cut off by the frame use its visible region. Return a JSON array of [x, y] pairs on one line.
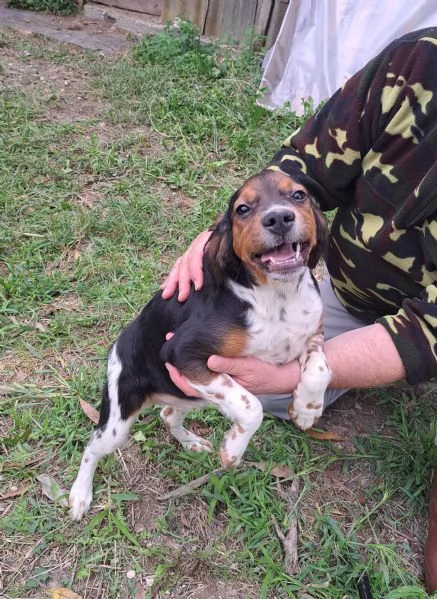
[[307, 406]]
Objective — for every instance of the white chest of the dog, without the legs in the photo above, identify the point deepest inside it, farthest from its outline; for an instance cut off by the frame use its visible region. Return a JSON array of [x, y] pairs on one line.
[[282, 318]]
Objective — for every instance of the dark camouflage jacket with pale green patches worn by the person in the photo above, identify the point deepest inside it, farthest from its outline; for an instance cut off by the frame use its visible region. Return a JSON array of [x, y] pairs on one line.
[[371, 154]]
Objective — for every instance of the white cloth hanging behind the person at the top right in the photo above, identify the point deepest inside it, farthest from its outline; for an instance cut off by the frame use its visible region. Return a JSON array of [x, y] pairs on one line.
[[322, 43]]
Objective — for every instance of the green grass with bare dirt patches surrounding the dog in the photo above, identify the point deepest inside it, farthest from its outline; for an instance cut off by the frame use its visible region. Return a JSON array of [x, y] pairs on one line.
[[99, 195]]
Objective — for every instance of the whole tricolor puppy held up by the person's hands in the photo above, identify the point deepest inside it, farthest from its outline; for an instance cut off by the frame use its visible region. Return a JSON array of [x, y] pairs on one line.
[[259, 298]]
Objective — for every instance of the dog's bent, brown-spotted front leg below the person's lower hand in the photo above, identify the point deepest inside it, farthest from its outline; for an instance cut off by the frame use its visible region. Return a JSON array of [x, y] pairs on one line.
[[243, 408]]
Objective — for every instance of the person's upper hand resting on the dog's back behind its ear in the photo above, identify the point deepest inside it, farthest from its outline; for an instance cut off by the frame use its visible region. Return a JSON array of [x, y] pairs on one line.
[[187, 269]]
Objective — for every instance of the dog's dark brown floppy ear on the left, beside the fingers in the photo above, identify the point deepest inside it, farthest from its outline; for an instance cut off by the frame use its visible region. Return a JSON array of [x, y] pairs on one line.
[[218, 250]]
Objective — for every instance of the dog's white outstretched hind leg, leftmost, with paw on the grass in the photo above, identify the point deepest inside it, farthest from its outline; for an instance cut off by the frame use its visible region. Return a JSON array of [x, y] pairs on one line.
[[110, 434]]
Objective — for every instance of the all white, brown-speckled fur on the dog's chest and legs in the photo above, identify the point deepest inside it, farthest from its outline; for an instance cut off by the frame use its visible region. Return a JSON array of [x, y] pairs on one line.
[[284, 319]]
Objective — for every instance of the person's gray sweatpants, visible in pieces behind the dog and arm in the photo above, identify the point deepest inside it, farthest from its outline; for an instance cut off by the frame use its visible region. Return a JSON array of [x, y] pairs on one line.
[[336, 320]]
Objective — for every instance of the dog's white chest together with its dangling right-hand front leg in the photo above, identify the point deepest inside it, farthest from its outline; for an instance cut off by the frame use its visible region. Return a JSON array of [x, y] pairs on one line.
[[284, 325]]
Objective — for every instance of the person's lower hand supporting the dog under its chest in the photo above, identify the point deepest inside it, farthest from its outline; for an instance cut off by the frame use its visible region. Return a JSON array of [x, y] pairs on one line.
[[257, 376]]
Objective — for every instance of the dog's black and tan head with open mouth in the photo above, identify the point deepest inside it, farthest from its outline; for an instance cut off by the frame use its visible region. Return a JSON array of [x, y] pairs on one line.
[[272, 226]]
